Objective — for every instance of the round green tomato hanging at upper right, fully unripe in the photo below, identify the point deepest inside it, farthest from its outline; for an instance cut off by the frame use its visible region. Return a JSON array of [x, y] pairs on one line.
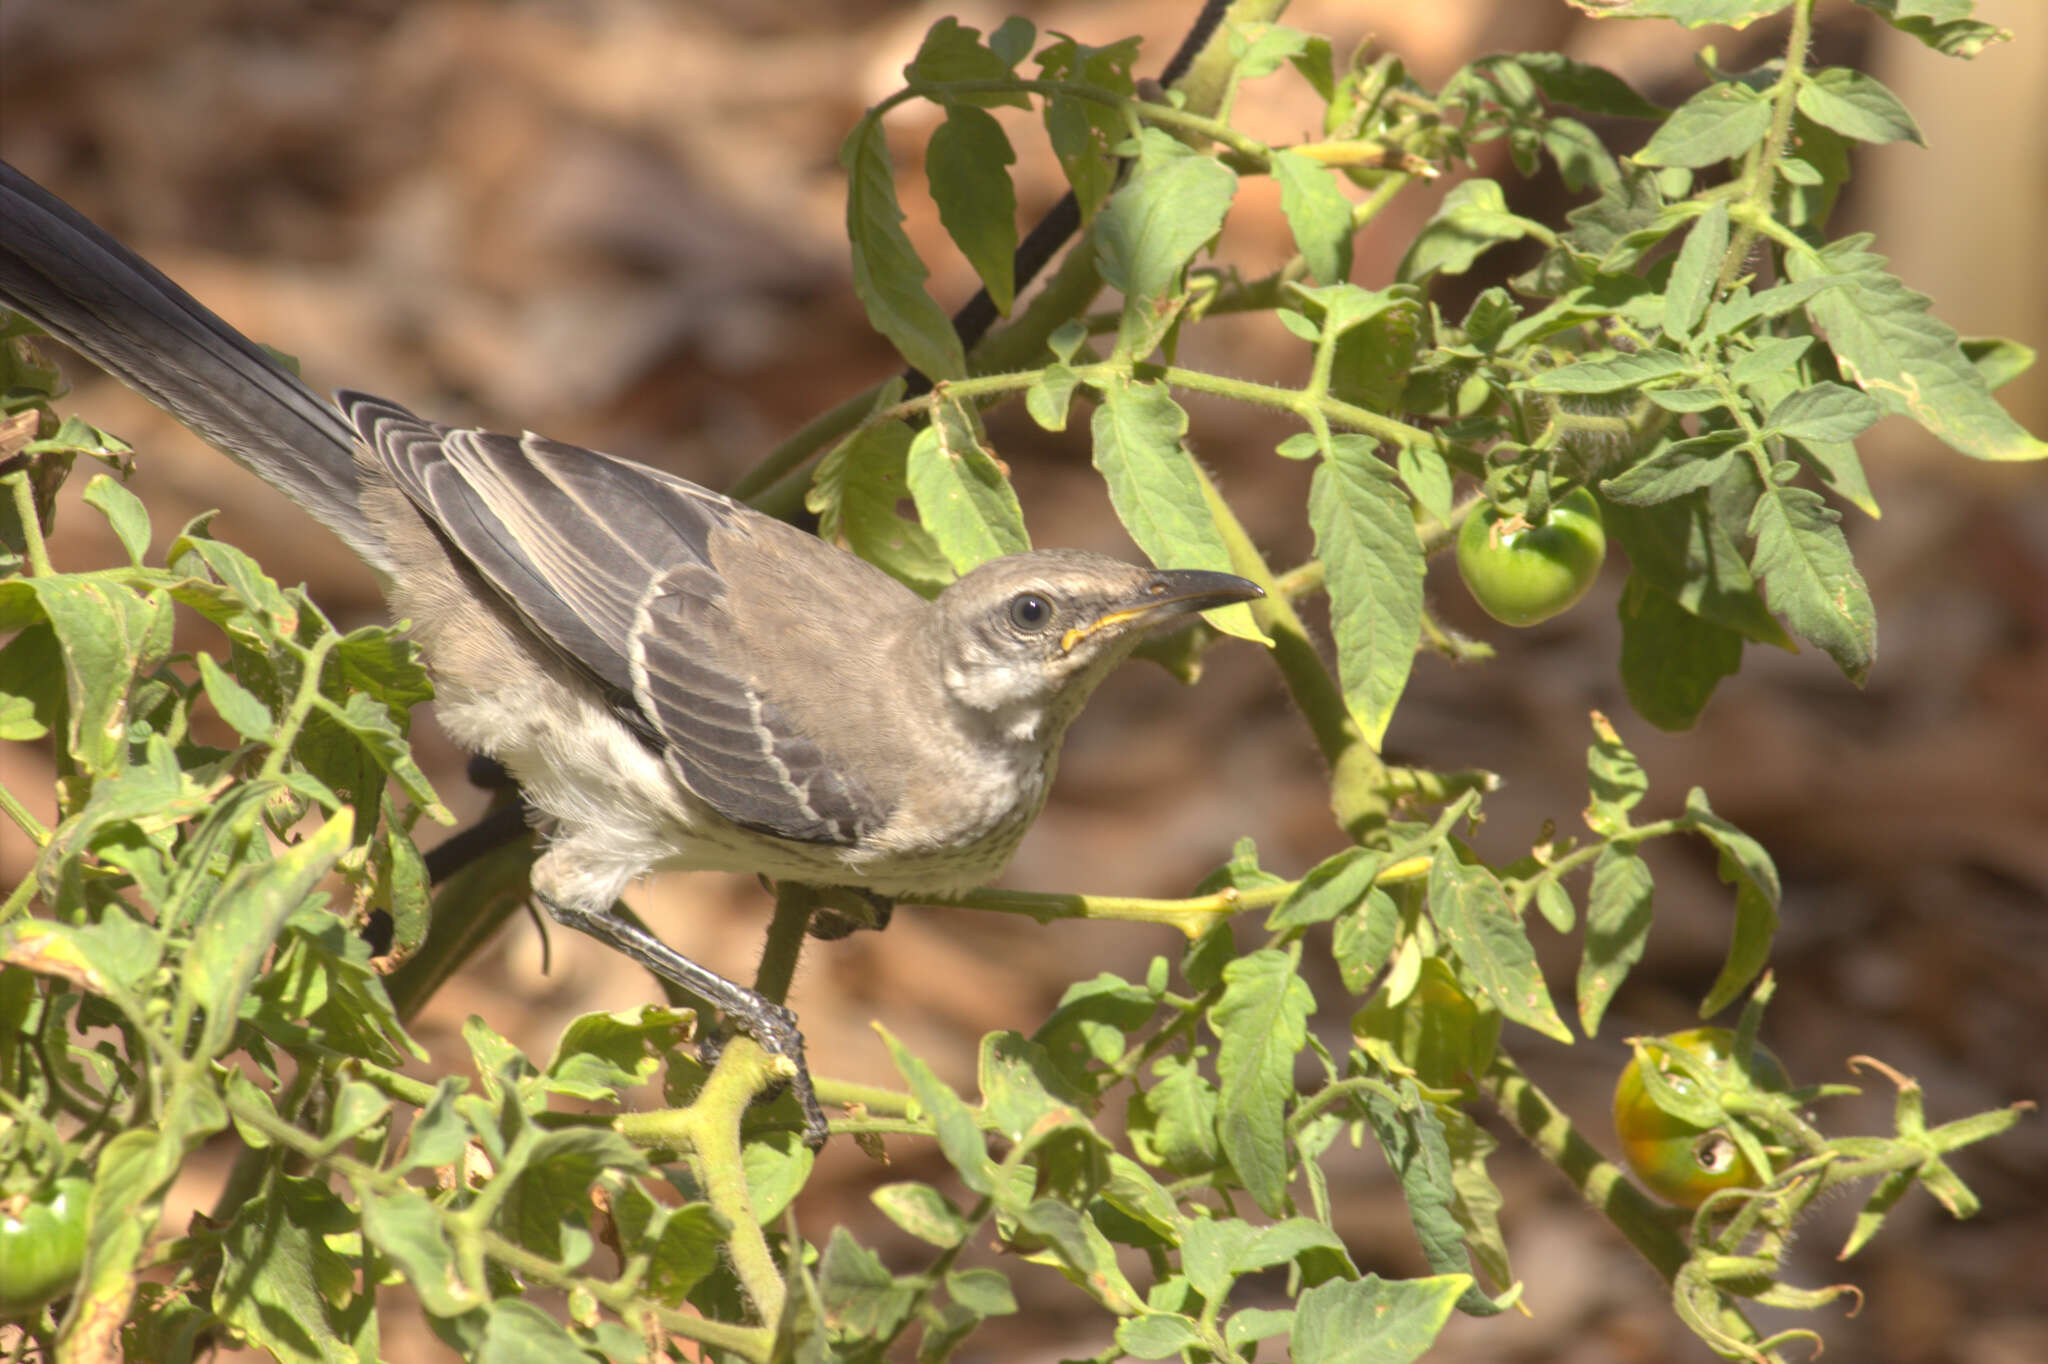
[[1529, 574]]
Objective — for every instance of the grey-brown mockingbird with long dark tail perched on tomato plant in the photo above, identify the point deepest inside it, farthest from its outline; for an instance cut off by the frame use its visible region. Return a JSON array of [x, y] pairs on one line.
[[675, 679]]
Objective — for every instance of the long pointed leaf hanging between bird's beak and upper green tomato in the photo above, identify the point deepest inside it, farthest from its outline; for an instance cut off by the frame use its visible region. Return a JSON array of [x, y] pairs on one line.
[[1365, 536]]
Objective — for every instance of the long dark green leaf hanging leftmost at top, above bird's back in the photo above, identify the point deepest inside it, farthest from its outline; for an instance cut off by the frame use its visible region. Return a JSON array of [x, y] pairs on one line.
[[888, 273]]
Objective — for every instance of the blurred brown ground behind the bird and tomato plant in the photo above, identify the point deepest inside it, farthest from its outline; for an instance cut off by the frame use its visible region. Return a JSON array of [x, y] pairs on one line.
[[620, 222]]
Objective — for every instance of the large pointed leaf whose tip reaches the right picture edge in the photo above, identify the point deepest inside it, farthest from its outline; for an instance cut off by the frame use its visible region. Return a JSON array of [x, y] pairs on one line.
[[1908, 359]]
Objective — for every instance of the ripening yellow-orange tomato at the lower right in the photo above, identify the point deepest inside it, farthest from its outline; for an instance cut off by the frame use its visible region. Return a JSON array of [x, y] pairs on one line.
[[1676, 1160]]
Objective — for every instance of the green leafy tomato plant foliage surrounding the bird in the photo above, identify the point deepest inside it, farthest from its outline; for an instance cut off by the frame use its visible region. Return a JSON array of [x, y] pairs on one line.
[[1689, 347]]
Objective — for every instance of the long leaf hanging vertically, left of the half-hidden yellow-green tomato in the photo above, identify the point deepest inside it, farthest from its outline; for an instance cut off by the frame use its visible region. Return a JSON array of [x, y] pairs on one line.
[[1261, 1023]]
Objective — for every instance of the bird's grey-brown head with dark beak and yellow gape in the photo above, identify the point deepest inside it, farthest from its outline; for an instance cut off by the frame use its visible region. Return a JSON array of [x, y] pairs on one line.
[[1025, 638]]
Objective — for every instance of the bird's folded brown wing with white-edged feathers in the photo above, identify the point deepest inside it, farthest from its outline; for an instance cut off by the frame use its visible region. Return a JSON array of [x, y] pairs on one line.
[[617, 566]]
